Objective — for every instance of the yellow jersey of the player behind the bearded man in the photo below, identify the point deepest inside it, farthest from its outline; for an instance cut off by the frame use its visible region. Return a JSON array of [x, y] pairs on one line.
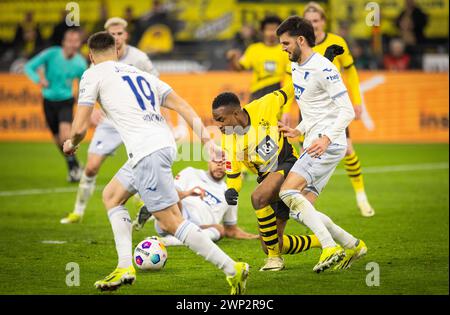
[[342, 62]]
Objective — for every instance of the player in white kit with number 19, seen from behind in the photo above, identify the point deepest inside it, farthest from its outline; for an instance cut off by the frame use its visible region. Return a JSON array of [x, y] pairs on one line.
[[131, 100]]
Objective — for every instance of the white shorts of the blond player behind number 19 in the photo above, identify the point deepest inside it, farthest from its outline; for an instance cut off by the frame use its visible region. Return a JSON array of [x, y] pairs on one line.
[[105, 140]]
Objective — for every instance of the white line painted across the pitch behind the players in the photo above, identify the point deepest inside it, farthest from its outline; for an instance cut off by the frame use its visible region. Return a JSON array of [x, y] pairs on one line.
[[366, 170]]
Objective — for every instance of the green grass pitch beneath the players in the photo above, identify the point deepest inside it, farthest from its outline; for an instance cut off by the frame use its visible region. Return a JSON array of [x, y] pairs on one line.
[[408, 237]]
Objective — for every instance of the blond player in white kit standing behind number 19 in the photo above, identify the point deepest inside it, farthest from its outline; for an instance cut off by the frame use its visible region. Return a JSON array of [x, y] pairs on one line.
[[106, 139]]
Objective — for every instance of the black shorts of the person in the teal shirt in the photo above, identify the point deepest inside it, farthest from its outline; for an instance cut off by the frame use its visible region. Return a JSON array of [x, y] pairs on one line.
[[57, 112]]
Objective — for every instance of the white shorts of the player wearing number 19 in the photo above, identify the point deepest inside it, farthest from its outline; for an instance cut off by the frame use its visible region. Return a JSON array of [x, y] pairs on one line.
[[152, 177]]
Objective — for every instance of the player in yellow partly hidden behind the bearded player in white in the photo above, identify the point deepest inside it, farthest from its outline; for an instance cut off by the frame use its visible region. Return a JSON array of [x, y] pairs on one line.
[[316, 15]]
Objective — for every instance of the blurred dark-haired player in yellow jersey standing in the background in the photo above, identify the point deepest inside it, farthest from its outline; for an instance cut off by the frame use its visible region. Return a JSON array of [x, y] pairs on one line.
[[266, 60]]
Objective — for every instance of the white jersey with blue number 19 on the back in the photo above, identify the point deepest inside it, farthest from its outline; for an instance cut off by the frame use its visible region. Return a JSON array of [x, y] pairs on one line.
[[131, 99]]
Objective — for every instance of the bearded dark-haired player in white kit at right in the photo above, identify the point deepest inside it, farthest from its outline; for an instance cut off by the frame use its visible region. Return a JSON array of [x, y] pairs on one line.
[[326, 111]]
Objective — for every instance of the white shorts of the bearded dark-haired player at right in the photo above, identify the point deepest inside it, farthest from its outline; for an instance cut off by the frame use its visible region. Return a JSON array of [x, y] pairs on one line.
[[317, 171]]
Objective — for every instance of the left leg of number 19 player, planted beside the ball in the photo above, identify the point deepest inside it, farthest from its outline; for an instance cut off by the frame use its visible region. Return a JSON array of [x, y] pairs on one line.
[[115, 195]]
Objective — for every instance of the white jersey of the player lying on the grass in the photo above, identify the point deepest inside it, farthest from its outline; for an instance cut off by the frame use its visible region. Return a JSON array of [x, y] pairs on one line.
[[213, 209]]
